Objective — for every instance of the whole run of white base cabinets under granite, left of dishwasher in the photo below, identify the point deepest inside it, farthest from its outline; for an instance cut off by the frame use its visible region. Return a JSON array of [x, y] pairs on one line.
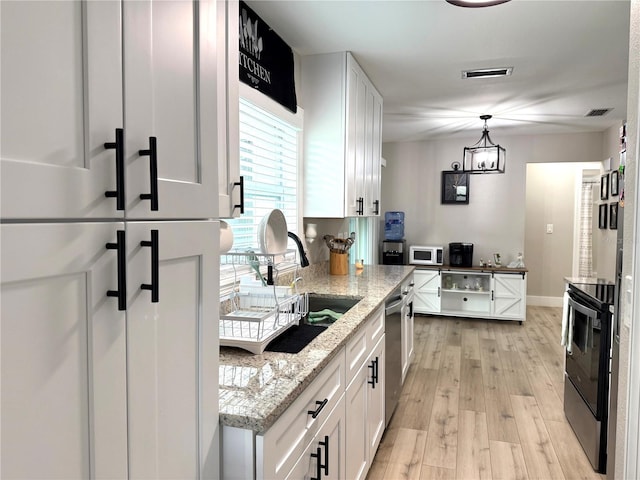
[[332, 430]]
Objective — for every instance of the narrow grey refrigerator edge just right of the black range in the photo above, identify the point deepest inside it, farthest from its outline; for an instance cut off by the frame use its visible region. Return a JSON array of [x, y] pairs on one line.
[[615, 356]]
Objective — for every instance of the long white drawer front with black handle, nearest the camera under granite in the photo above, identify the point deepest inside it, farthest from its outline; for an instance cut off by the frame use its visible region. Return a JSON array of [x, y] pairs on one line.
[[286, 440]]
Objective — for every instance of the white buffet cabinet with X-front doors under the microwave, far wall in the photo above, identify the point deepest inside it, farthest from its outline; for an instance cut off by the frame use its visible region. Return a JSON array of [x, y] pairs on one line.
[[494, 293]]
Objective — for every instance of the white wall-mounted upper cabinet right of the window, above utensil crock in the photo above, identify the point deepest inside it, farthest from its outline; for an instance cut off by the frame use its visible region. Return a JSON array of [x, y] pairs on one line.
[[343, 137]]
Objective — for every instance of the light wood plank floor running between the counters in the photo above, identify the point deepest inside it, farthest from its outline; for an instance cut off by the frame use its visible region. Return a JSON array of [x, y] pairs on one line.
[[483, 399]]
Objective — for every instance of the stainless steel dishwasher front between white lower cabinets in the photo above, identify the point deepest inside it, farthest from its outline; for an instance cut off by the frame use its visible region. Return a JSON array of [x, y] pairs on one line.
[[393, 352]]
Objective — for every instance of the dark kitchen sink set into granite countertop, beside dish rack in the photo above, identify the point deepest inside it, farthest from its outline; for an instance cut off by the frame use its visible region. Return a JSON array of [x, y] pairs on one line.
[[297, 337]]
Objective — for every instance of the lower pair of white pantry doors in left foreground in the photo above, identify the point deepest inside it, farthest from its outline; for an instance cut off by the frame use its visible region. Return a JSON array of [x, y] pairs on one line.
[[94, 391]]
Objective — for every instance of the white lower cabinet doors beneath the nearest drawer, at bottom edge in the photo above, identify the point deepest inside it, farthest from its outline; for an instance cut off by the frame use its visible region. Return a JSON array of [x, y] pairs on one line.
[[327, 449]]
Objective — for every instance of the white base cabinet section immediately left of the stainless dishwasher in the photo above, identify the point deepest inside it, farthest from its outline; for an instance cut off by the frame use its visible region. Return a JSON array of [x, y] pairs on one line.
[[365, 408]]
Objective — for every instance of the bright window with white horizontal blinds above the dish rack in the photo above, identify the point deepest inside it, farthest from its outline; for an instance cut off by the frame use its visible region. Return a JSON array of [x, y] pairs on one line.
[[270, 146]]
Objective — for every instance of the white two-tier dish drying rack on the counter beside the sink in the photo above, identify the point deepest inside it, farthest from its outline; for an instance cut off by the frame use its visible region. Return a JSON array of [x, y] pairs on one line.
[[260, 312]]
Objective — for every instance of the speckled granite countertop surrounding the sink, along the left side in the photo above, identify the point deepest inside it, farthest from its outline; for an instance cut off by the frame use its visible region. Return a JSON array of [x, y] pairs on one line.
[[256, 389]]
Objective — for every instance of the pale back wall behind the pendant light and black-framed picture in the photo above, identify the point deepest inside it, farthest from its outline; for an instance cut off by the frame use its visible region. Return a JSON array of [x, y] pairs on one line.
[[494, 220]]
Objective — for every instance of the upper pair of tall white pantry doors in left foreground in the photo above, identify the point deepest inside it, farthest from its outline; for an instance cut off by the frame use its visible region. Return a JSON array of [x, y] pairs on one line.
[[75, 72]]
